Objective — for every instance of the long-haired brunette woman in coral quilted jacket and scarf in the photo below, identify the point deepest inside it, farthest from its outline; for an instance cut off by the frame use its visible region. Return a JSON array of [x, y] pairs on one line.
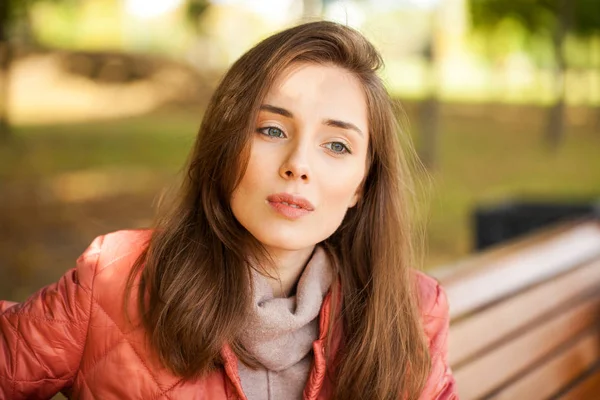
[[282, 270]]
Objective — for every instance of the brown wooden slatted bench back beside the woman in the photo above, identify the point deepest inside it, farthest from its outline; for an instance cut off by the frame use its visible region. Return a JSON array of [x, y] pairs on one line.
[[525, 317]]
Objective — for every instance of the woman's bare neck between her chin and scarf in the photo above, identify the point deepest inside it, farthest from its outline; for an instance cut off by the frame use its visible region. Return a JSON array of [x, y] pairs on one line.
[[288, 266]]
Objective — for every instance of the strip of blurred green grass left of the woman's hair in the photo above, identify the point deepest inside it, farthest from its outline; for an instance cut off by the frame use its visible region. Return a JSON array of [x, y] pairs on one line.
[[156, 142]]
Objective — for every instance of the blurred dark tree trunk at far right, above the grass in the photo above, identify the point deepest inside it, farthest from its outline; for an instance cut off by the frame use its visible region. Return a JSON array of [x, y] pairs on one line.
[[556, 113]]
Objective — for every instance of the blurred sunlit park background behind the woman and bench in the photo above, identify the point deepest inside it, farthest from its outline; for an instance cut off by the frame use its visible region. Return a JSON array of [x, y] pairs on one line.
[[100, 101]]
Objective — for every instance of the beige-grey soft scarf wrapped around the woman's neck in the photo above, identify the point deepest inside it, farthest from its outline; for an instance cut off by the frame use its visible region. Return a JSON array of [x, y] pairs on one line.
[[280, 332]]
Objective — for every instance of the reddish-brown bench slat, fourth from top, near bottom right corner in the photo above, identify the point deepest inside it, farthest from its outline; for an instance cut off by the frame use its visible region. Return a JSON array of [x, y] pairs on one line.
[[557, 373]]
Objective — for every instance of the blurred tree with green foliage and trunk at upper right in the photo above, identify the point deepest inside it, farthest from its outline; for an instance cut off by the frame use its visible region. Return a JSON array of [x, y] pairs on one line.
[[553, 19]]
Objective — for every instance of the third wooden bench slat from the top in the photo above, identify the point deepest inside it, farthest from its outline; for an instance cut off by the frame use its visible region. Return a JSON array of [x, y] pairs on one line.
[[503, 363]]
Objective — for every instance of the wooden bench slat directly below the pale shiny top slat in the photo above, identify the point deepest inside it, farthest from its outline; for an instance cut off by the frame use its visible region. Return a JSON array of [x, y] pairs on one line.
[[471, 335]]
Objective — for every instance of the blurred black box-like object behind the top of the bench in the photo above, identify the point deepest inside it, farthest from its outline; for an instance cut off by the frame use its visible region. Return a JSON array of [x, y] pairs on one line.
[[501, 222]]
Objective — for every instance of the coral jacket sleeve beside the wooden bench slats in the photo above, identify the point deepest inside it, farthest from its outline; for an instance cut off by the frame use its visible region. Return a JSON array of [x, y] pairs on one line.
[[440, 384]]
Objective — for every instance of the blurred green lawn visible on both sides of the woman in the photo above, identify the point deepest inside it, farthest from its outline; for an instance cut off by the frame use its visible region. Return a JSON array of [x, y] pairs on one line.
[[483, 157]]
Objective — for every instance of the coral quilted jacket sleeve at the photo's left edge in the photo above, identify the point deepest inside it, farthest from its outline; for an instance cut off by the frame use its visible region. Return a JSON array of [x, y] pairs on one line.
[[42, 339]]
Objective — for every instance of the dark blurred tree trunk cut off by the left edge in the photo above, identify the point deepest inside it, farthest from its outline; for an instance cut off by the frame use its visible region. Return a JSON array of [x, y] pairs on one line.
[[5, 60]]
